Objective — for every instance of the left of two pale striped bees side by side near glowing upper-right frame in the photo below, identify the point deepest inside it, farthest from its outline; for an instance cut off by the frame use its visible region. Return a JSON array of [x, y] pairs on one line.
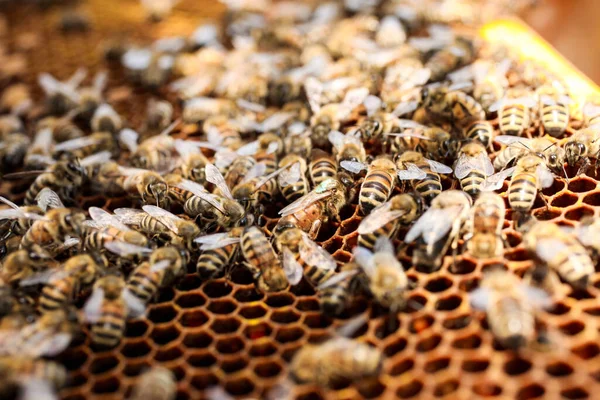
[[514, 113]]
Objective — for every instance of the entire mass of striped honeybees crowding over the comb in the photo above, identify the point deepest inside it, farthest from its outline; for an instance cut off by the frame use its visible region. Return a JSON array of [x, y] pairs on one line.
[[311, 111]]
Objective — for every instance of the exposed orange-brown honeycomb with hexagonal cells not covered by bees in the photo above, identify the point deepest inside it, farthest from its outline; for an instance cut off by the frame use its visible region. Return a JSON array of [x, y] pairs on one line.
[[223, 332]]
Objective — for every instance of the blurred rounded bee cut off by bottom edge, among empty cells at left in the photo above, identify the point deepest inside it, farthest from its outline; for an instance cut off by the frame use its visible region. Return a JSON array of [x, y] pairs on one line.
[[158, 383]]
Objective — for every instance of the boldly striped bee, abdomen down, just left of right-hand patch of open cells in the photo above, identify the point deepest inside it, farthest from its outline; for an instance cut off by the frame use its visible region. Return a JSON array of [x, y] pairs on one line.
[[530, 175]]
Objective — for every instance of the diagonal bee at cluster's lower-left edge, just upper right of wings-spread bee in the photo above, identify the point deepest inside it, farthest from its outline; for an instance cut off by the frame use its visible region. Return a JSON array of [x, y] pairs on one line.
[[165, 265]]
